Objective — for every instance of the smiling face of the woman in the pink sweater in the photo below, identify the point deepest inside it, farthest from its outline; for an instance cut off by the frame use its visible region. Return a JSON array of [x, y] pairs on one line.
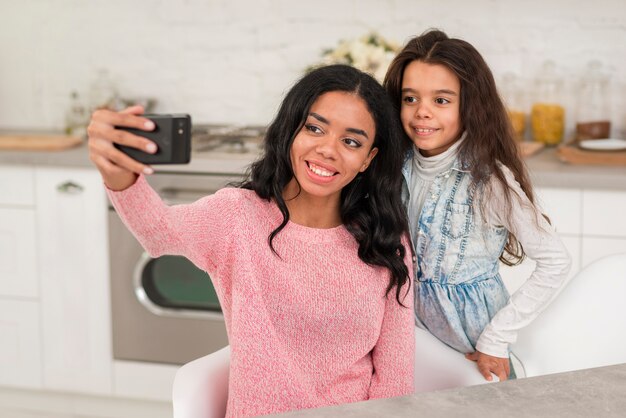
[[333, 146]]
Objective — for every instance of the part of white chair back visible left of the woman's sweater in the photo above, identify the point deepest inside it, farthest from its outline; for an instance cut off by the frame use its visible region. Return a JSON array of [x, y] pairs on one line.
[[200, 388]]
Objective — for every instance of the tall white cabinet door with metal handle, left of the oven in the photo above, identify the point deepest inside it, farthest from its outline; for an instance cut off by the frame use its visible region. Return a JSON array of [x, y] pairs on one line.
[[71, 208]]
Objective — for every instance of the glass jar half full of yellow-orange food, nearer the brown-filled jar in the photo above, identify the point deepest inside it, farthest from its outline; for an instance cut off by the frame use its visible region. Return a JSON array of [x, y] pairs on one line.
[[547, 113]]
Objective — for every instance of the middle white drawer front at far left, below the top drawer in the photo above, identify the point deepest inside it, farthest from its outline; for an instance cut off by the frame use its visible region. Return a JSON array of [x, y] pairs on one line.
[[18, 253]]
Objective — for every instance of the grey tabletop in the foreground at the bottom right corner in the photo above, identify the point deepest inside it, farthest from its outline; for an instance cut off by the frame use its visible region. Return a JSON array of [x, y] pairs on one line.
[[599, 392]]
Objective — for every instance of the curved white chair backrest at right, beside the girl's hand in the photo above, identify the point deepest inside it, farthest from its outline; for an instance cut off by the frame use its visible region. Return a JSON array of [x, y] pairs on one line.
[[584, 327]]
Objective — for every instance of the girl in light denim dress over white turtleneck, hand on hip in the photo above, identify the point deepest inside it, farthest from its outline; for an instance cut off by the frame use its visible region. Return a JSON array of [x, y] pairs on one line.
[[470, 204]]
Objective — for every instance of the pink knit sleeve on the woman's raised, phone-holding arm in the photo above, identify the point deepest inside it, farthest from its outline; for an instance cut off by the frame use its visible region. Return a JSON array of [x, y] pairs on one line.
[[198, 231]]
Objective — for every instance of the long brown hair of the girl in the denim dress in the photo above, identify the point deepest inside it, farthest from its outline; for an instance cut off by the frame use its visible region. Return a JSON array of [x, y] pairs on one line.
[[490, 139]]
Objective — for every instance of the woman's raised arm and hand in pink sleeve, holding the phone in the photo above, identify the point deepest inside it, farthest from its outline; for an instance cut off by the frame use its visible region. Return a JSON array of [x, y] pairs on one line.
[[196, 231]]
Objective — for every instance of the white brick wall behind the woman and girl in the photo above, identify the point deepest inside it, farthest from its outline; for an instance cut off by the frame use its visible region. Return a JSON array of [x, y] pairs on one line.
[[232, 60]]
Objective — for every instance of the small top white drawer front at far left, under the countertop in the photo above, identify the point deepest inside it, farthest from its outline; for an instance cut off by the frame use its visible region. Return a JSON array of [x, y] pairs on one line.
[[17, 186]]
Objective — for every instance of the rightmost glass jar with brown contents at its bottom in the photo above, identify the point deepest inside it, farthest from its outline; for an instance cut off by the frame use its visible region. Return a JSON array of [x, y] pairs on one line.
[[593, 104]]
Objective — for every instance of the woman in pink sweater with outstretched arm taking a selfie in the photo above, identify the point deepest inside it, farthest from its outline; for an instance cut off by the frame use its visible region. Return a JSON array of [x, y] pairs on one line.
[[307, 257]]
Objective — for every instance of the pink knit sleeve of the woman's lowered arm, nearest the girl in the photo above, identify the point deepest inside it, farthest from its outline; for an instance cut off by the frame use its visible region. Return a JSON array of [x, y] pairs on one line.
[[393, 356]]
